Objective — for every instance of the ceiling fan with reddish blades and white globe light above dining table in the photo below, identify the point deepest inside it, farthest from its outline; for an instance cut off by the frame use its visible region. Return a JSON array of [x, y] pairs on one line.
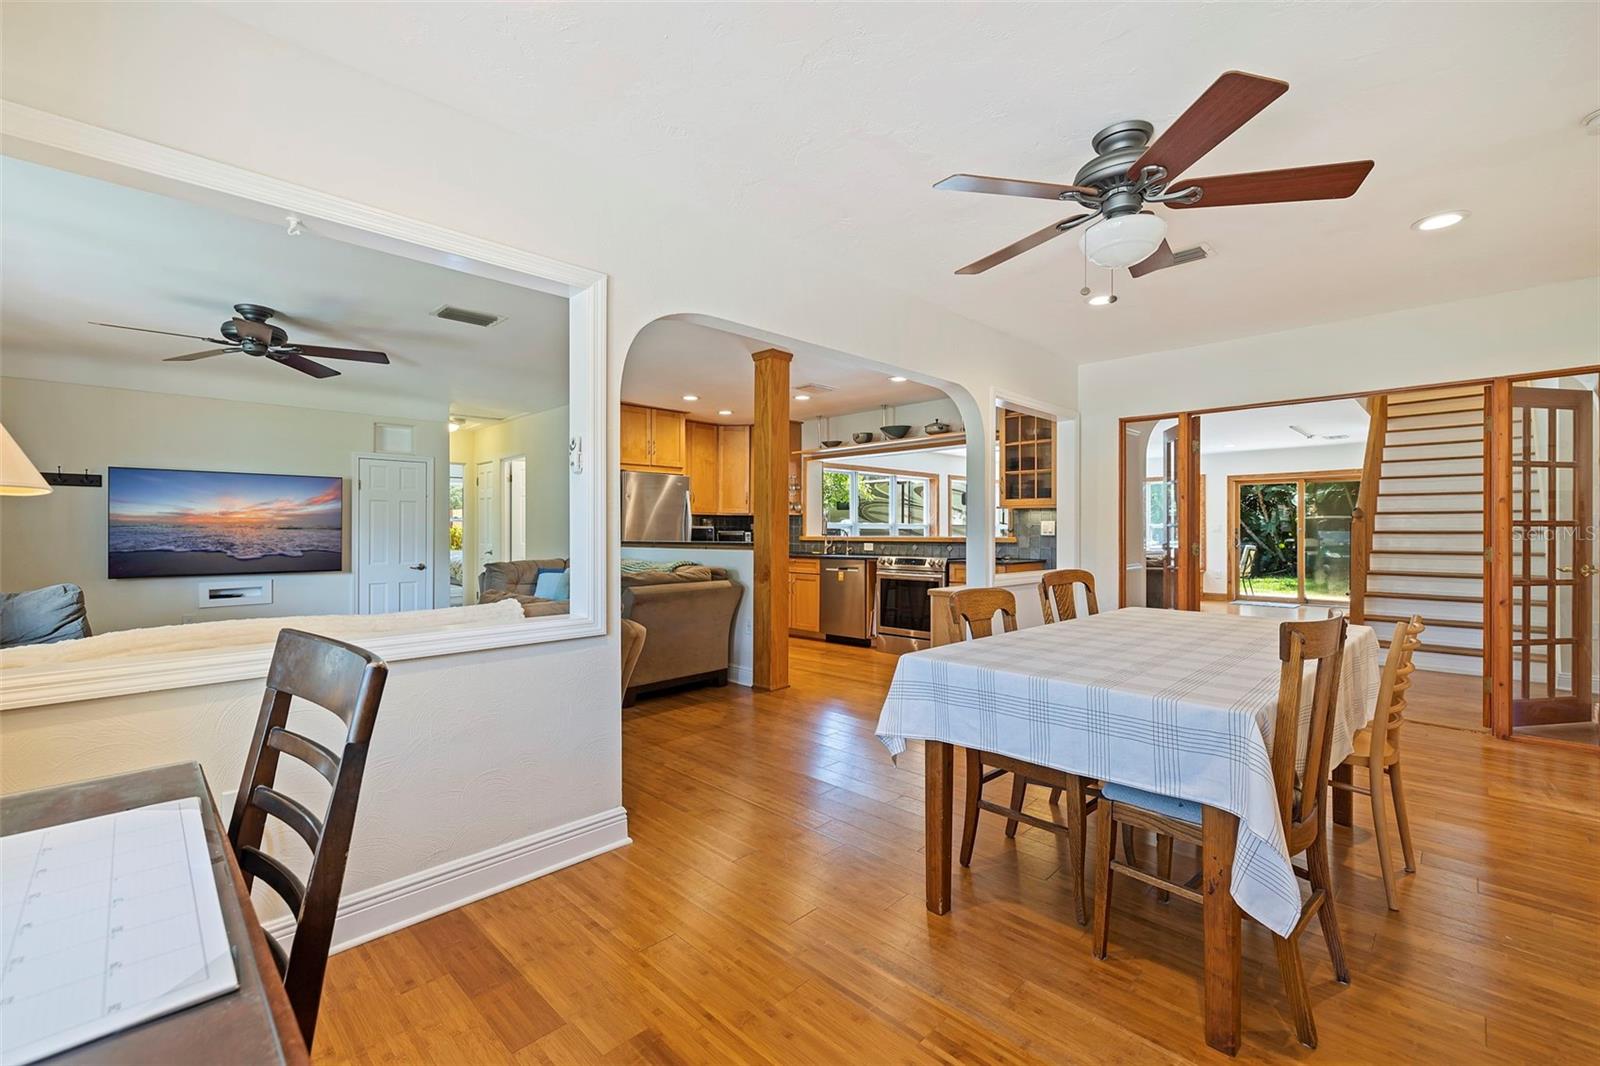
[[1130, 172]]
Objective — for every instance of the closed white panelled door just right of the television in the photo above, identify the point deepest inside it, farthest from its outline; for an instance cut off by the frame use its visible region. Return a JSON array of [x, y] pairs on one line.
[[394, 547]]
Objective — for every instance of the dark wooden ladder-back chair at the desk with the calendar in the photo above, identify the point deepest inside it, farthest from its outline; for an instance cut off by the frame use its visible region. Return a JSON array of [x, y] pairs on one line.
[[350, 683]]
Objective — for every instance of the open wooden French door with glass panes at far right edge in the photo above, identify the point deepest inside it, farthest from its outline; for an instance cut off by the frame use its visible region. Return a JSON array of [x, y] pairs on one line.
[[1551, 558]]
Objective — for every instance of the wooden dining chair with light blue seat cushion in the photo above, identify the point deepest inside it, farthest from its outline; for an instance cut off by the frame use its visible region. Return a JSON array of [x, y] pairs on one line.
[[1302, 809]]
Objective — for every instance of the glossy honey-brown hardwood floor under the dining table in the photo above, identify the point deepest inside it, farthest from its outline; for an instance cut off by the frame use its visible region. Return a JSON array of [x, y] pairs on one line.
[[770, 912]]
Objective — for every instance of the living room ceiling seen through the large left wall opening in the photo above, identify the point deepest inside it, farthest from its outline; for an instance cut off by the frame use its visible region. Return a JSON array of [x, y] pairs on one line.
[[81, 250]]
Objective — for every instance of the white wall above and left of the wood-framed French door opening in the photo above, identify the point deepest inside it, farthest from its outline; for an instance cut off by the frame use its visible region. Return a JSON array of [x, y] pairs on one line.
[[1530, 331]]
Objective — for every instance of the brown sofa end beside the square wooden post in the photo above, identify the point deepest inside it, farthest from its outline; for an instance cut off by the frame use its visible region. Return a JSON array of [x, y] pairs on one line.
[[687, 614]]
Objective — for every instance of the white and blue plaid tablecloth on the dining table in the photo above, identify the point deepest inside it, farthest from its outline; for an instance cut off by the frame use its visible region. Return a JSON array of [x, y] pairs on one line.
[[1180, 703]]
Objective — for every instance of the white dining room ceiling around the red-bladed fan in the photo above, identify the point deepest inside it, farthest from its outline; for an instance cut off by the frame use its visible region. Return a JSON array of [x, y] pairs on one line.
[[828, 126]]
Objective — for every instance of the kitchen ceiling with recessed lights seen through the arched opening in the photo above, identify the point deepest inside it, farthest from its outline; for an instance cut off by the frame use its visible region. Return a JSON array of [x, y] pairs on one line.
[[673, 359]]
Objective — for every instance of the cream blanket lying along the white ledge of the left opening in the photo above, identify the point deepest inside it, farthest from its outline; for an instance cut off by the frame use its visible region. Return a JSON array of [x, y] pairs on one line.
[[244, 633]]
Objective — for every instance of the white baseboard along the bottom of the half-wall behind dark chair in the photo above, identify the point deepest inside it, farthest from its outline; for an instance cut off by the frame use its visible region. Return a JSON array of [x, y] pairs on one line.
[[409, 900]]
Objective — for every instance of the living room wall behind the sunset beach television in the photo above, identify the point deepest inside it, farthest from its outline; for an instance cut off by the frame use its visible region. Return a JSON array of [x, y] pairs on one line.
[[62, 537]]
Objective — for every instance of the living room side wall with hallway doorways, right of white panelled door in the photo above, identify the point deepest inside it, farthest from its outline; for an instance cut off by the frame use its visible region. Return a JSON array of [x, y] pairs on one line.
[[542, 438]]
